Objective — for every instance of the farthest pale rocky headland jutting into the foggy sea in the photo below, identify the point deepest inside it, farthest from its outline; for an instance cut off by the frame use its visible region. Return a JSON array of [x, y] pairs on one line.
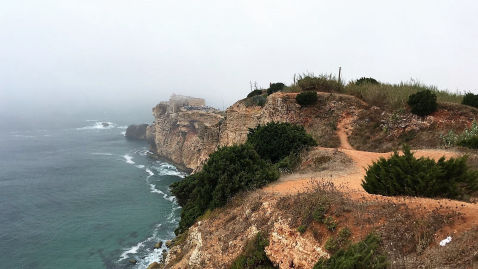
[[185, 131]]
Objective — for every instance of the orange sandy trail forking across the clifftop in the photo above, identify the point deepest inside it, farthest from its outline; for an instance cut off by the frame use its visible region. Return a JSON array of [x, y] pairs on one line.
[[349, 182]]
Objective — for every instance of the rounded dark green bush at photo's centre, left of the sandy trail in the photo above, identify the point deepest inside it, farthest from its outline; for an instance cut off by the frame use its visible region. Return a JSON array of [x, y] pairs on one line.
[[275, 140]]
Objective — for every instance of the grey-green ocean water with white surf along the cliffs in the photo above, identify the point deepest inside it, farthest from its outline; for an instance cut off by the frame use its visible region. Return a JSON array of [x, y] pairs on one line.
[[82, 196]]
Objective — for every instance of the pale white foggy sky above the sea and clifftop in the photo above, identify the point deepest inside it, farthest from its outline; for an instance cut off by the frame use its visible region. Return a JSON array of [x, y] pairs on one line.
[[67, 54]]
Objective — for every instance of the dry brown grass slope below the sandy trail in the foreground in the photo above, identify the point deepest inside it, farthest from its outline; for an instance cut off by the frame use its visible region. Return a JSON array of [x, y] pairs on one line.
[[408, 235]]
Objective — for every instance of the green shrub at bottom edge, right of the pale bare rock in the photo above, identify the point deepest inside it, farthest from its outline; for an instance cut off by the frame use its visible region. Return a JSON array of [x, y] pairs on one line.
[[365, 254]]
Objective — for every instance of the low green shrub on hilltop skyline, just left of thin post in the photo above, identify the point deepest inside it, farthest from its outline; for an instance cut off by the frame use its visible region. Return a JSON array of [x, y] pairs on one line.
[[321, 83]]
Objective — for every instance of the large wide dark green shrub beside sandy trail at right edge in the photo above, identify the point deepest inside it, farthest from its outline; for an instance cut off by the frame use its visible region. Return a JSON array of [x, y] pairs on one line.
[[407, 175]]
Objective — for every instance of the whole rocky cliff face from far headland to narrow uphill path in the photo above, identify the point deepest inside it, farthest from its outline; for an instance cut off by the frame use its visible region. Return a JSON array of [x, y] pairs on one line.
[[186, 134]]
